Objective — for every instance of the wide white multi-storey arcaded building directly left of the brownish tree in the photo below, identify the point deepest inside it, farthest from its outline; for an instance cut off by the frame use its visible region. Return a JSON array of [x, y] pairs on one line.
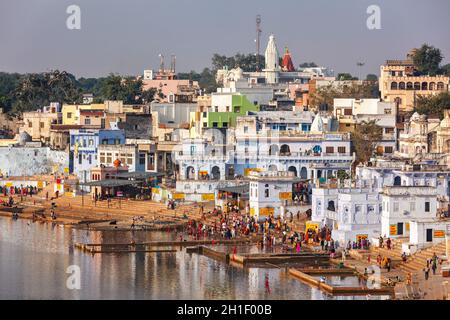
[[310, 154]]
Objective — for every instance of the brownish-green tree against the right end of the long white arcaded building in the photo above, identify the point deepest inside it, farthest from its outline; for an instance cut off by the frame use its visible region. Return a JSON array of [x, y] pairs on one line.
[[364, 139]]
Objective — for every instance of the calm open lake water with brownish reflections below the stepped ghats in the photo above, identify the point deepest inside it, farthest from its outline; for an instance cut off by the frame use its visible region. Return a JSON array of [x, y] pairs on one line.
[[34, 258]]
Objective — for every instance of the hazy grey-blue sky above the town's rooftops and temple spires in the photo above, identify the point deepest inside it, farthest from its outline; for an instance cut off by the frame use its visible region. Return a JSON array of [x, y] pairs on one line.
[[126, 36]]
